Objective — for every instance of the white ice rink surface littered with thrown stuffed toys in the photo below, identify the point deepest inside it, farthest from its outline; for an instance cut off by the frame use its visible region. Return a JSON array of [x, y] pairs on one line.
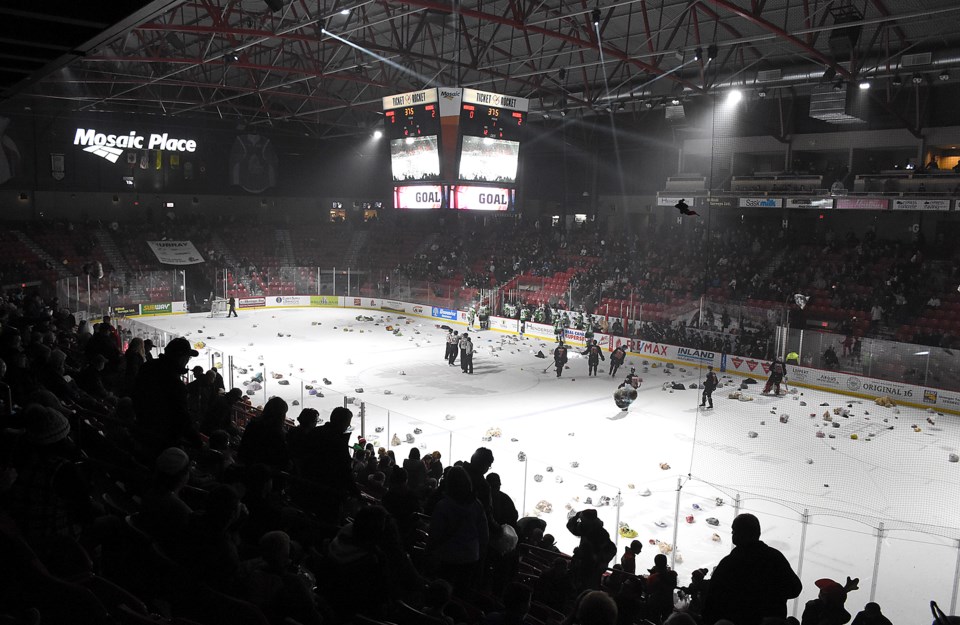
[[882, 507]]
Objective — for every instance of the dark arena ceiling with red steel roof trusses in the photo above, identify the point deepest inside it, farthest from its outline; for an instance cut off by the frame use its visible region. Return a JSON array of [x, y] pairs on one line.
[[323, 67]]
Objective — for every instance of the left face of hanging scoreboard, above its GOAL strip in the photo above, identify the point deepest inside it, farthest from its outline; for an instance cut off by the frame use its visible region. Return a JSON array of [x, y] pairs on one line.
[[412, 125]]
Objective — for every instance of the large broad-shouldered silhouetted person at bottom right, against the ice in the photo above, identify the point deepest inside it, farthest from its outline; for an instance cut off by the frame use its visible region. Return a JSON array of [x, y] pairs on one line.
[[751, 583]]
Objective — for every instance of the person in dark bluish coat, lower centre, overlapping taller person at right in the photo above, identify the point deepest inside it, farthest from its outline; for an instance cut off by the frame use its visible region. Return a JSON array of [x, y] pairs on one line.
[[458, 532]]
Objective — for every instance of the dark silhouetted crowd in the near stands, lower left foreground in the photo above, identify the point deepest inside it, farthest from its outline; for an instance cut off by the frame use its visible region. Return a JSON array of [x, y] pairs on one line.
[[134, 490]]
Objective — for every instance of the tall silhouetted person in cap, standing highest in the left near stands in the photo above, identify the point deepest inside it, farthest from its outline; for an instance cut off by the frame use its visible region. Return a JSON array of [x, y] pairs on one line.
[[160, 400]]
